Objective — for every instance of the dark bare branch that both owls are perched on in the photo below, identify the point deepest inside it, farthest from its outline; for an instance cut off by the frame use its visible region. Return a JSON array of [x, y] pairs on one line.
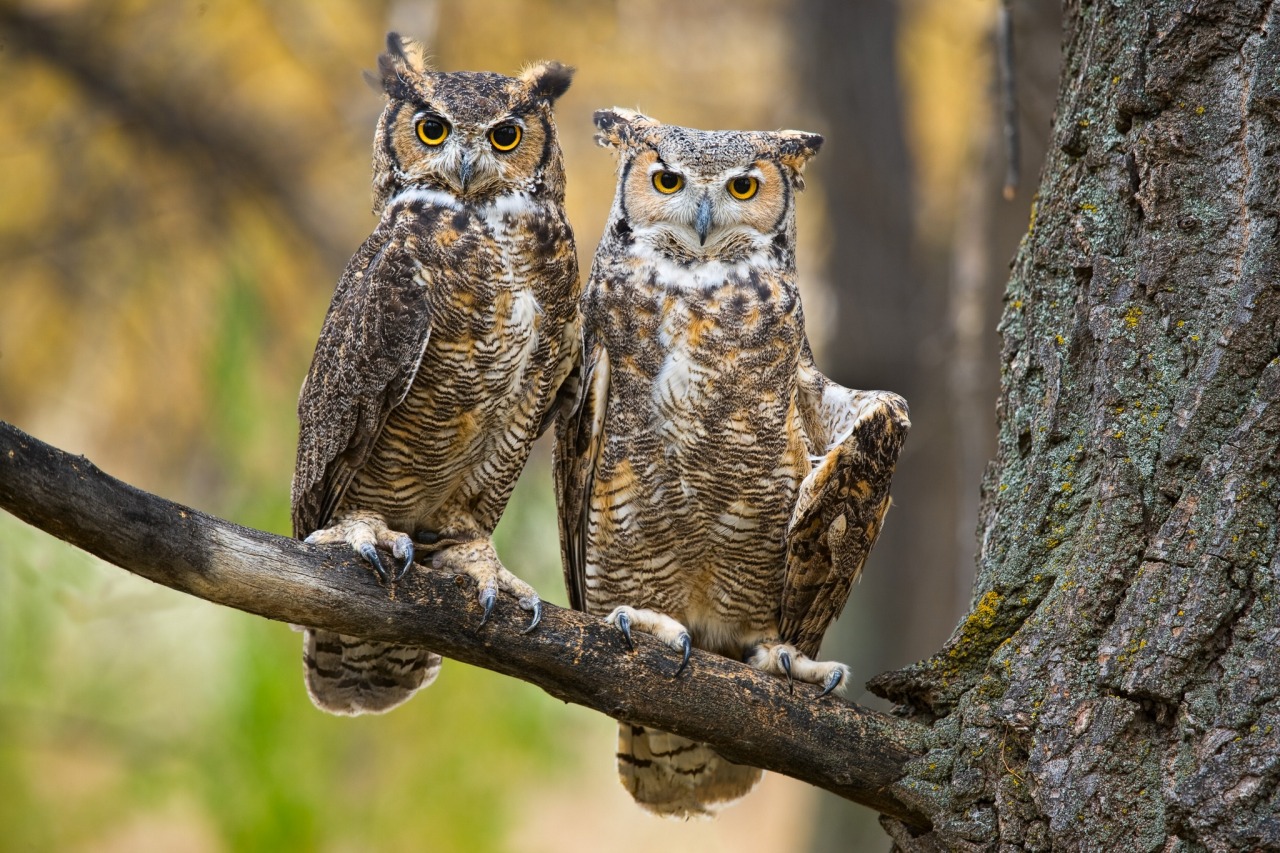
[[746, 715]]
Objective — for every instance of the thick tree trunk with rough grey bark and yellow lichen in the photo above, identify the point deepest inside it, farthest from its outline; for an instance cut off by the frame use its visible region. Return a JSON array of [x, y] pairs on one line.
[[1114, 686]]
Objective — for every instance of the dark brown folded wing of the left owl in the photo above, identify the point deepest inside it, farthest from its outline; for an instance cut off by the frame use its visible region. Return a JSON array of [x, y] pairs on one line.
[[368, 355]]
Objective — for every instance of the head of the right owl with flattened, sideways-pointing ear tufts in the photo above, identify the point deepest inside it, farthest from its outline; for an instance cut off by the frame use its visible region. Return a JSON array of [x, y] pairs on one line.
[[706, 195]]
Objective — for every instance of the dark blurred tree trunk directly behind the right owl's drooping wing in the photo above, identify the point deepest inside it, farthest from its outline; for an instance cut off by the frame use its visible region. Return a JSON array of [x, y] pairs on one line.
[[883, 313]]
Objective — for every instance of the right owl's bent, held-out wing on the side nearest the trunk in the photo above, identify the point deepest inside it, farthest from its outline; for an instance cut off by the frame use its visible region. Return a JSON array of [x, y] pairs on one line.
[[856, 439]]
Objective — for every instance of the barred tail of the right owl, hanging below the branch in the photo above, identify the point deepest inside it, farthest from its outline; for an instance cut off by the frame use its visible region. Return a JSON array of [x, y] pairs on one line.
[[678, 778]]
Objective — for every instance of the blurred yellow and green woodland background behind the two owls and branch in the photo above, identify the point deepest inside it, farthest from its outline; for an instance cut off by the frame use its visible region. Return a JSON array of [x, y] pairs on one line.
[[181, 185]]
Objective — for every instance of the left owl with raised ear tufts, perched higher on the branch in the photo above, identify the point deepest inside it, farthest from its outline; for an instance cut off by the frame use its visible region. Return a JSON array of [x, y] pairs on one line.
[[450, 336]]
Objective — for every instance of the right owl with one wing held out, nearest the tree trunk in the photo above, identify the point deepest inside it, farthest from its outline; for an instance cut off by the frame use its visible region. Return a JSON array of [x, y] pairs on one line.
[[715, 489]]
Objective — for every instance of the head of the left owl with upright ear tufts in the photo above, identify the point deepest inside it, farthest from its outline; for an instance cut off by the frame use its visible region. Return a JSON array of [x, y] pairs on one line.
[[473, 135]]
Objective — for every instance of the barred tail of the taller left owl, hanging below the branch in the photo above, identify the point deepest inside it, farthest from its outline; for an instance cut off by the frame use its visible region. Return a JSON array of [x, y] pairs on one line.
[[348, 676]]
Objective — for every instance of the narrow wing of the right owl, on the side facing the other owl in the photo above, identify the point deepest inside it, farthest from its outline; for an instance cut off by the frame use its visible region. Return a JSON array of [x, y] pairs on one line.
[[579, 439]]
